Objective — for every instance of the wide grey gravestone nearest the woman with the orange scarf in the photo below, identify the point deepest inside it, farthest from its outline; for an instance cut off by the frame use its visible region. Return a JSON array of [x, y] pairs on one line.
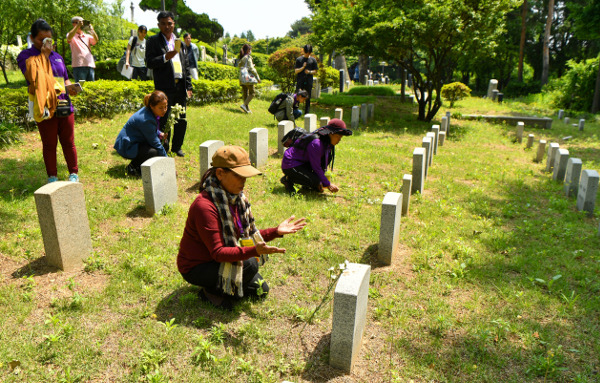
[[64, 224]]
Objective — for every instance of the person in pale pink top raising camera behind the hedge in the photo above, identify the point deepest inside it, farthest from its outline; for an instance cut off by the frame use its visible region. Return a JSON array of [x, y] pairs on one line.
[[80, 42]]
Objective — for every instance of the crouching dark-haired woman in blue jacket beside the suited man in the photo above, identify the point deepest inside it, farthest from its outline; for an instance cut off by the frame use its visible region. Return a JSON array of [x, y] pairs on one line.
[[140, 138]]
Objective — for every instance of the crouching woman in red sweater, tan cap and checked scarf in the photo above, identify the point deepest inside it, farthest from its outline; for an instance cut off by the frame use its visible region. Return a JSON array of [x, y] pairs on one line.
[[221, 248]]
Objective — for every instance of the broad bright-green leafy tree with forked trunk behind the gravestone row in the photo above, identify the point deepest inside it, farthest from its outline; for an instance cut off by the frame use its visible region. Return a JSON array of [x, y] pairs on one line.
[[425, 37]]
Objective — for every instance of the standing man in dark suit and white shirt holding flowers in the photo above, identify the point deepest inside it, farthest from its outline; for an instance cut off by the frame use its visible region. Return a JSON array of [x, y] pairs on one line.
[[167, 57]]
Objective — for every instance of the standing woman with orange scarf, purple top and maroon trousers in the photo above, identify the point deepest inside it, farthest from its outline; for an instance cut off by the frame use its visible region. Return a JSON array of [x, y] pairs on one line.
[[47, 81]]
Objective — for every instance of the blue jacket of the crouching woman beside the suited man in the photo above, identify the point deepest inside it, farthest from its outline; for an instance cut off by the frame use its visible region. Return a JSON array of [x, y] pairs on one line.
[[141, 127]]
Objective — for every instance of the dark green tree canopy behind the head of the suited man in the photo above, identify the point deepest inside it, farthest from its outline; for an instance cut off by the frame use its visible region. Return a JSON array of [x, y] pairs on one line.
[[201, 26]]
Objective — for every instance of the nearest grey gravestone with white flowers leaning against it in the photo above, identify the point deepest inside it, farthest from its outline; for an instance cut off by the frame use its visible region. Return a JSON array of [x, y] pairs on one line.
[[349, 316]]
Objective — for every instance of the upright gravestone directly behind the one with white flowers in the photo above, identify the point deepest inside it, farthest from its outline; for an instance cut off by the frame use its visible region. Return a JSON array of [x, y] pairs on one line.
[[391, 211]]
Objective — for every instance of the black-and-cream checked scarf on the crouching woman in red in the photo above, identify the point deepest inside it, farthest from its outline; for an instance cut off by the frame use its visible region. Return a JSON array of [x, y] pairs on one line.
[[230, 273]]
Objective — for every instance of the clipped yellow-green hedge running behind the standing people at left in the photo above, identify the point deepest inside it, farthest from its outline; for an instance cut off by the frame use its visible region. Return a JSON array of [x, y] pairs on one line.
[[106, 98]]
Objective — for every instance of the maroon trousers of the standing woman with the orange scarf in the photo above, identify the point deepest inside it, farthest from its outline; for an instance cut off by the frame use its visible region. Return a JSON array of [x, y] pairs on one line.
[[58, 129]]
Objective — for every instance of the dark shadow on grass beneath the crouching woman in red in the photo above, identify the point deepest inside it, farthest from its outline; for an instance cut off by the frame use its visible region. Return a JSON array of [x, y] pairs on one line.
[[185, 305]]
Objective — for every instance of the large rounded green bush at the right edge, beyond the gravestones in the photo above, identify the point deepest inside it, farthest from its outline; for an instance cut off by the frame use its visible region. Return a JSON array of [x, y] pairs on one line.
[[575, 89]]
